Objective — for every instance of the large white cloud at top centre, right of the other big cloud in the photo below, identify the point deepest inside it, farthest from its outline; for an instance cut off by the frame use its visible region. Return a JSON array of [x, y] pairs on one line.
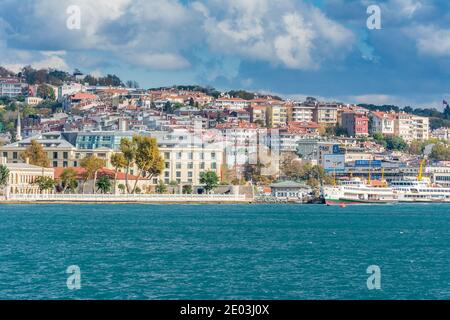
[[285, 32]]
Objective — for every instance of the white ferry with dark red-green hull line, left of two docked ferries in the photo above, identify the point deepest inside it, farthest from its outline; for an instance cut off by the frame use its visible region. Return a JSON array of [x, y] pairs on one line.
[[356, 191]]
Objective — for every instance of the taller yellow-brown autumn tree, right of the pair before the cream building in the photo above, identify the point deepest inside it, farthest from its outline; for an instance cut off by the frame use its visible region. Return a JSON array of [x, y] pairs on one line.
[[147, 158]]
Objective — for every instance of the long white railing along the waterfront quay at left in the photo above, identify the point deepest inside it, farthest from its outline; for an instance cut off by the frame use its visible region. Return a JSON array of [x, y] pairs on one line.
[[150, 198]]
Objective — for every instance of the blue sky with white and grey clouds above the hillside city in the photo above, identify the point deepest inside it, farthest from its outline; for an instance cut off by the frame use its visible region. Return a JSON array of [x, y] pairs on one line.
[[293, 48]]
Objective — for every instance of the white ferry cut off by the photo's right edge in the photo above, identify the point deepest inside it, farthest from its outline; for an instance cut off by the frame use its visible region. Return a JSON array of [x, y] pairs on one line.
[[420, 190]]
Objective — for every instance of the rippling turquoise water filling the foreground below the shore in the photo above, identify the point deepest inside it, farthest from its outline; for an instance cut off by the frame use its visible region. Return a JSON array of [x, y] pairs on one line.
[[224, 252]]
